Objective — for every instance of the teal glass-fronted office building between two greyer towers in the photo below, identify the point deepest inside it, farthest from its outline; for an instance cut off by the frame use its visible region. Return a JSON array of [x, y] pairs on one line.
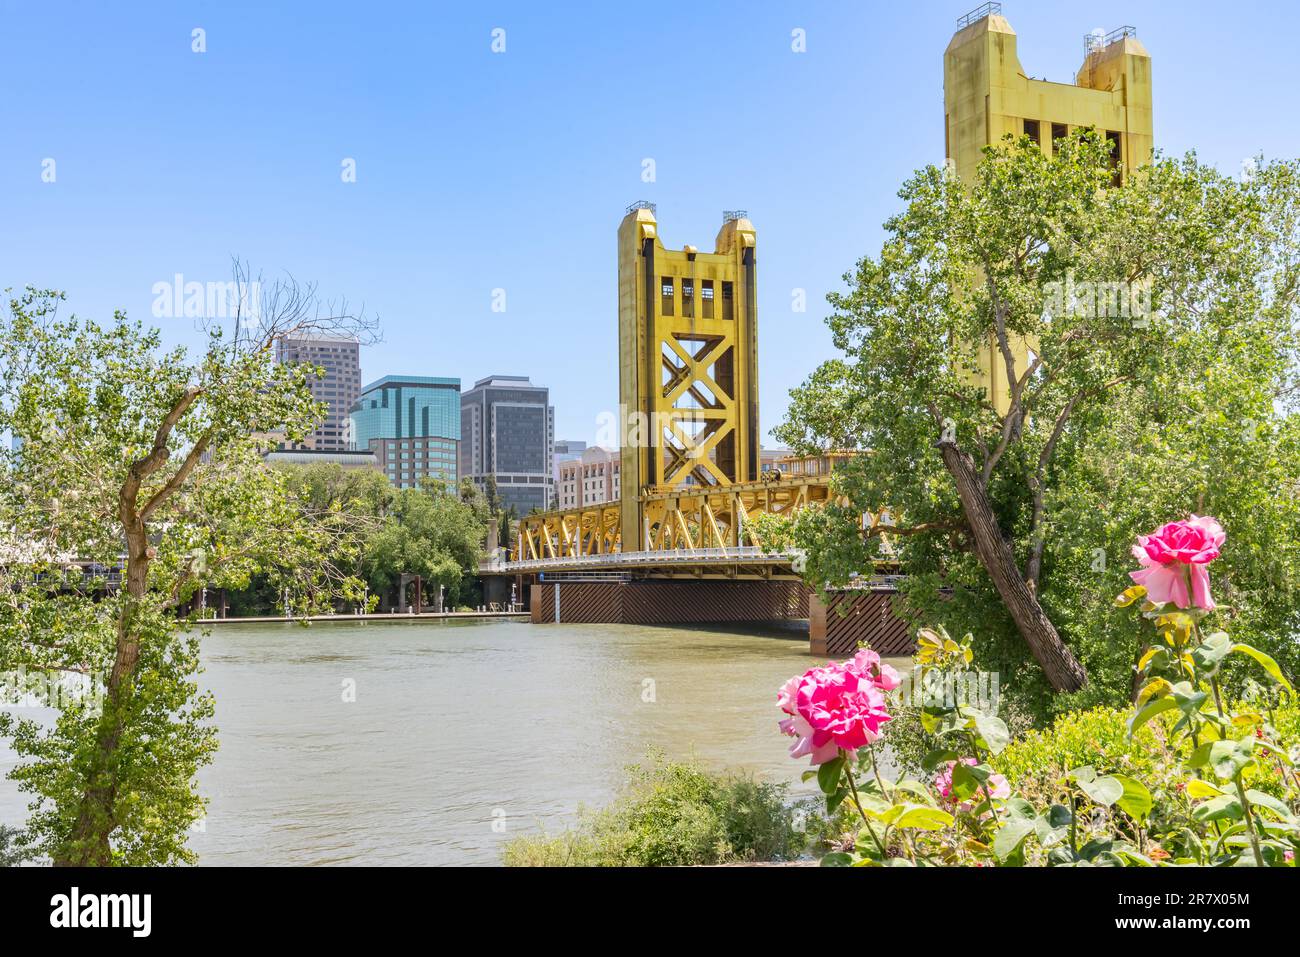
[[413, 427]]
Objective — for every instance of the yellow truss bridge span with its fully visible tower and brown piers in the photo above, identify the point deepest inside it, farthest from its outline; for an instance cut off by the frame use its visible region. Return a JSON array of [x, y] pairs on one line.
[[694, 544]]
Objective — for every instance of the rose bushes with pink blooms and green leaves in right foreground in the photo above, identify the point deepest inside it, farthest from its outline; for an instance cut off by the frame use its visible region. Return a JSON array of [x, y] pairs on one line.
[[1189, 774]]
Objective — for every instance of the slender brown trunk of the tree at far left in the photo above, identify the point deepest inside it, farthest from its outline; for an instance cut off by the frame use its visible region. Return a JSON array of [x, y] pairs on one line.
[[88, 845]]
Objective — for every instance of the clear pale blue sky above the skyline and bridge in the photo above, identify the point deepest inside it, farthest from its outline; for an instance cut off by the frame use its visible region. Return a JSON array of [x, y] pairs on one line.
[[480, 171]]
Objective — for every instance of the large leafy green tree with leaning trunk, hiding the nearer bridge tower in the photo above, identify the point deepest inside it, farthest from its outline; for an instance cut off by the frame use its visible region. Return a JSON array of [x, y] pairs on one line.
[[1020, 518]]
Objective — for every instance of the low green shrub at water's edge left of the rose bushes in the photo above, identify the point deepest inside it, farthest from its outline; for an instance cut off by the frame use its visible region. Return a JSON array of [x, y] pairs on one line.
[[673, 815]]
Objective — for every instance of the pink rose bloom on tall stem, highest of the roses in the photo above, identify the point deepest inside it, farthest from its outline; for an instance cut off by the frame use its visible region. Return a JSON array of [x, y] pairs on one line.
[[1175, 557]]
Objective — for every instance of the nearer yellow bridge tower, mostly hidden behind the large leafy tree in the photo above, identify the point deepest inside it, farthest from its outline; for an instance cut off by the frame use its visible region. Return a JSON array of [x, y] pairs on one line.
[[987, 97]]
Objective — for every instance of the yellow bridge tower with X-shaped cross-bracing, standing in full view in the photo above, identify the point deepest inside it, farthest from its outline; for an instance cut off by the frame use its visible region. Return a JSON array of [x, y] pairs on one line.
[[688, 369]]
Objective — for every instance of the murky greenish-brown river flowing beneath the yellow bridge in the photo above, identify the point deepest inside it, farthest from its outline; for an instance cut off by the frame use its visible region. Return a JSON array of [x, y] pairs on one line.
[[432, 743]]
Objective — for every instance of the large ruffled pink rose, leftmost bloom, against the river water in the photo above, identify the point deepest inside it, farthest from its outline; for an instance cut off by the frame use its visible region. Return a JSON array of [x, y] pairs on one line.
[[834, 708]]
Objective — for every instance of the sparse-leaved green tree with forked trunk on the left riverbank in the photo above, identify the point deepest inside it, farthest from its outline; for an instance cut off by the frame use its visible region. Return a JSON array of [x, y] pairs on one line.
[[146, 460]]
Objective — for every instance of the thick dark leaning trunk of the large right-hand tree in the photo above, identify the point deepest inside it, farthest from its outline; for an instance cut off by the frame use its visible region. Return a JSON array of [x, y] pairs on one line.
[[1059, 664]]
